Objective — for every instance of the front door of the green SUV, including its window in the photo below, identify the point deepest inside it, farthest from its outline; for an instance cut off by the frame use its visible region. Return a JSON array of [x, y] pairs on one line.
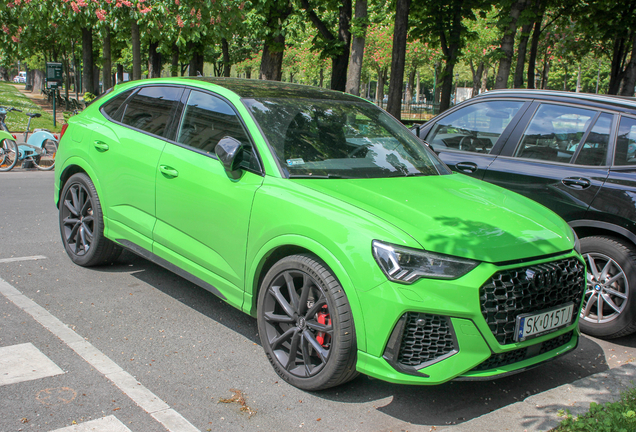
[[202, 214]]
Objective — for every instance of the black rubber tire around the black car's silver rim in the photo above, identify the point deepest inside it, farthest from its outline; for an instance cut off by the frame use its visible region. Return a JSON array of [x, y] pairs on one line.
[[619, 252]]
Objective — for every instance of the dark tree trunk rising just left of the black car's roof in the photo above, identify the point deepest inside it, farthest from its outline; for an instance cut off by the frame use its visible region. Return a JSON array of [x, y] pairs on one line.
[[398, 57]]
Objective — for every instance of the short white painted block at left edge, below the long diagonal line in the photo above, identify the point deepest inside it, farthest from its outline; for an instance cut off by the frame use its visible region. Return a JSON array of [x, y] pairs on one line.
[[25, 362]]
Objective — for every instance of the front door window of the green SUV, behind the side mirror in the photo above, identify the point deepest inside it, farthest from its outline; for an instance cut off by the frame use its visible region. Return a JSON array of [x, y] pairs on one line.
[[206, 120]]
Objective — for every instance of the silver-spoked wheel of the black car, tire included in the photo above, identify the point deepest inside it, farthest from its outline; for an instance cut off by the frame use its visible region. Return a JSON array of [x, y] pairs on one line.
[[611, 282]]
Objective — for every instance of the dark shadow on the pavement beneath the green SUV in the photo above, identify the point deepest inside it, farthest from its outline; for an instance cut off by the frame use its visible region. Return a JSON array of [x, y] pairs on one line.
[[446, 404]]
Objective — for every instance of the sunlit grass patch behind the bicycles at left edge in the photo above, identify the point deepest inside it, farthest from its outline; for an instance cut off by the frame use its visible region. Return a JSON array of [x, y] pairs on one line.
[[17, 122]]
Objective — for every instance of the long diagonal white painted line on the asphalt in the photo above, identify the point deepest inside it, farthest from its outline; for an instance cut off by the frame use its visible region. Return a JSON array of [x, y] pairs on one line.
[[148, 401]]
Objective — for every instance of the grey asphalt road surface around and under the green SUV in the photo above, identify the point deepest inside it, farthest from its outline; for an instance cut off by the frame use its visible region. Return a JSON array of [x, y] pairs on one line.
[[192, 350]]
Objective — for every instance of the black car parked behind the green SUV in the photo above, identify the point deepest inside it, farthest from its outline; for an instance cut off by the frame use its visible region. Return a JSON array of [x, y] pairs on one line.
[[574, 153]]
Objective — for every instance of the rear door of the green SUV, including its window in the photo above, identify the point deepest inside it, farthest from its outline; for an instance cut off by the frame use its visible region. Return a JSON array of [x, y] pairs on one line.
[[125, 151]]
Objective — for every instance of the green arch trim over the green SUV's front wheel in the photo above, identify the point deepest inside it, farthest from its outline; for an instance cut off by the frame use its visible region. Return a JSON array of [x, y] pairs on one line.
[[287, 245]]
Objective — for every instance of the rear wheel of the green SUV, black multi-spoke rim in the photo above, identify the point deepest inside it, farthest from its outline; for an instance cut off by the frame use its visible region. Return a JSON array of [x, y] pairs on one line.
[[82, 224]]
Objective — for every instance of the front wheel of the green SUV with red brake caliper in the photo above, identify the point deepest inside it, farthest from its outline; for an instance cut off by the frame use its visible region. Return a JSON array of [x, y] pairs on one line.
[[299, 296]]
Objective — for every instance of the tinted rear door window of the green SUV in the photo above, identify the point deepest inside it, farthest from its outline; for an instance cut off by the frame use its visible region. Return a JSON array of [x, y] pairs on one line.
[[152, 108]]
